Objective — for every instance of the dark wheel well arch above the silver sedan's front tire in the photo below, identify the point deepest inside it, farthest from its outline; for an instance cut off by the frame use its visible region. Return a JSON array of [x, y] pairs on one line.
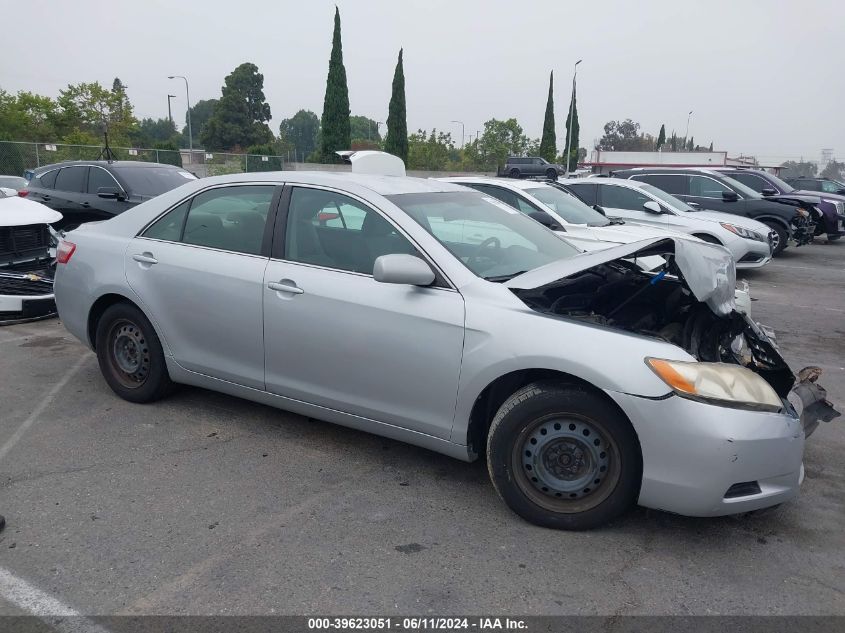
[[494, 395]]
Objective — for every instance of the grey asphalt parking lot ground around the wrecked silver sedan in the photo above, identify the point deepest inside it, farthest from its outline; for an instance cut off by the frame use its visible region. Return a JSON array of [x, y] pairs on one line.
[[205, 504]]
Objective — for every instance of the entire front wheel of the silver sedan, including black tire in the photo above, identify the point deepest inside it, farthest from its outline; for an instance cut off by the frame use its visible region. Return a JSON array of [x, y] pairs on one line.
[[585, 439]]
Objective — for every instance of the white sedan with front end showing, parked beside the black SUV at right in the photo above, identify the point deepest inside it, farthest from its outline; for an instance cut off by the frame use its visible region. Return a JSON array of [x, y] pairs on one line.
[[748, 240]]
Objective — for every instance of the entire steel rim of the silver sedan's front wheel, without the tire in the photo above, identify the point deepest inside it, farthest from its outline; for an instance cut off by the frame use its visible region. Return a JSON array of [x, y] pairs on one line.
[[565, 464]]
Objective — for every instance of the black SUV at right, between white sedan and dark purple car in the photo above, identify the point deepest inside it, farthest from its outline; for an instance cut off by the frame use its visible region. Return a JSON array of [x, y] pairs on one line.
[[787, 215]]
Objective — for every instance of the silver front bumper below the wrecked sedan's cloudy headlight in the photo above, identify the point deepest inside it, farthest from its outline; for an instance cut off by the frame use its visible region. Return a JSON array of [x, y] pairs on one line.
[[695, 453]]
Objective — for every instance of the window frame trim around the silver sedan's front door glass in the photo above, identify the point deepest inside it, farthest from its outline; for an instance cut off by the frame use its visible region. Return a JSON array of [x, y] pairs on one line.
[[277, 251]]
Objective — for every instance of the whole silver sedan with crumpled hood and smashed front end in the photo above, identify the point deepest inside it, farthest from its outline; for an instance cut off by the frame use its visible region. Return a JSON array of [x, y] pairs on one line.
[[431, 314]]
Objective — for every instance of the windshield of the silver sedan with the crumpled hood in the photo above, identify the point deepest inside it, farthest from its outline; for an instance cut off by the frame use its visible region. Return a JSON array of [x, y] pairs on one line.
[[493, 240]]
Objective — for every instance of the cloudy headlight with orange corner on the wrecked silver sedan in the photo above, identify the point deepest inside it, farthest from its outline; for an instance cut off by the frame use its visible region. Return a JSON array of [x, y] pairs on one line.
[[717, 383]]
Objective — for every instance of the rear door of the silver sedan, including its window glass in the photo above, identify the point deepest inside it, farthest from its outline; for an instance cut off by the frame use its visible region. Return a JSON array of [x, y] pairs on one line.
[[199, 272]]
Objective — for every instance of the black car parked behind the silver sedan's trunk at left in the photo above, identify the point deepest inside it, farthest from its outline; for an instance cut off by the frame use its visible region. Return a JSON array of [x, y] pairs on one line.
[[83, 191]]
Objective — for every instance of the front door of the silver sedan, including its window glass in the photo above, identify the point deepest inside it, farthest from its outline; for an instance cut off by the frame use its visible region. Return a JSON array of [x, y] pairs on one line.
[[337, 338]]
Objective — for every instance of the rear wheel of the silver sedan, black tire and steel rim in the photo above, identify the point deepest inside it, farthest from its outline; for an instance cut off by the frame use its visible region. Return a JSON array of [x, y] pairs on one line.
[[126, 340]]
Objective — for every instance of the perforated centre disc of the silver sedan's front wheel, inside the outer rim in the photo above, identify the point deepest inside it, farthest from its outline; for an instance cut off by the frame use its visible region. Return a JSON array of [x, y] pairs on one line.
[[565, 459]]
